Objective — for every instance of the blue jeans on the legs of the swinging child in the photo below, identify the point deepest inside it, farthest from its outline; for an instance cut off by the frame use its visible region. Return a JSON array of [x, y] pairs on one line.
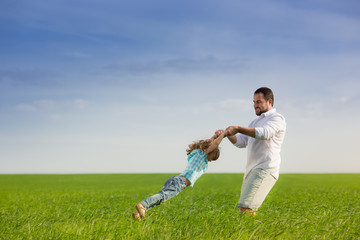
[[172, 187]]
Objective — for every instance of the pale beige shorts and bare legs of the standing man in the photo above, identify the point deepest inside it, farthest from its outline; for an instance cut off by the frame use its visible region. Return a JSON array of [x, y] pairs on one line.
[[254, 190]]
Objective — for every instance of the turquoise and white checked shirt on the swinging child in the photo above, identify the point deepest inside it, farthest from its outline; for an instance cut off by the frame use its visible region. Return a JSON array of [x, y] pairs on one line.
[[197, 166]]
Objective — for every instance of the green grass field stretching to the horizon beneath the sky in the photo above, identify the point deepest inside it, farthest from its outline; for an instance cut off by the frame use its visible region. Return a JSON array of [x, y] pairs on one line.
[[300, 206]]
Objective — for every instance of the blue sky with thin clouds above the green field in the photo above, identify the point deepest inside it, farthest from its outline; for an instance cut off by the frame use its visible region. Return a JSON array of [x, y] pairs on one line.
[[124, 86]]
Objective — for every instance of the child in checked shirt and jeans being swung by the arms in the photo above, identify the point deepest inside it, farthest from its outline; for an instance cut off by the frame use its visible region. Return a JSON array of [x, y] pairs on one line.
[[199, 154]]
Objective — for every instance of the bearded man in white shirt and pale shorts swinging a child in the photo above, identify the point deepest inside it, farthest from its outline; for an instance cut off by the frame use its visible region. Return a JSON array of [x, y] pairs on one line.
[[263, 138]]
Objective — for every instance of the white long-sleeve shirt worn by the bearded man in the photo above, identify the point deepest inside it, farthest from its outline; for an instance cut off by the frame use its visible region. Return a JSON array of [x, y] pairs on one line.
[[264, 149]]
